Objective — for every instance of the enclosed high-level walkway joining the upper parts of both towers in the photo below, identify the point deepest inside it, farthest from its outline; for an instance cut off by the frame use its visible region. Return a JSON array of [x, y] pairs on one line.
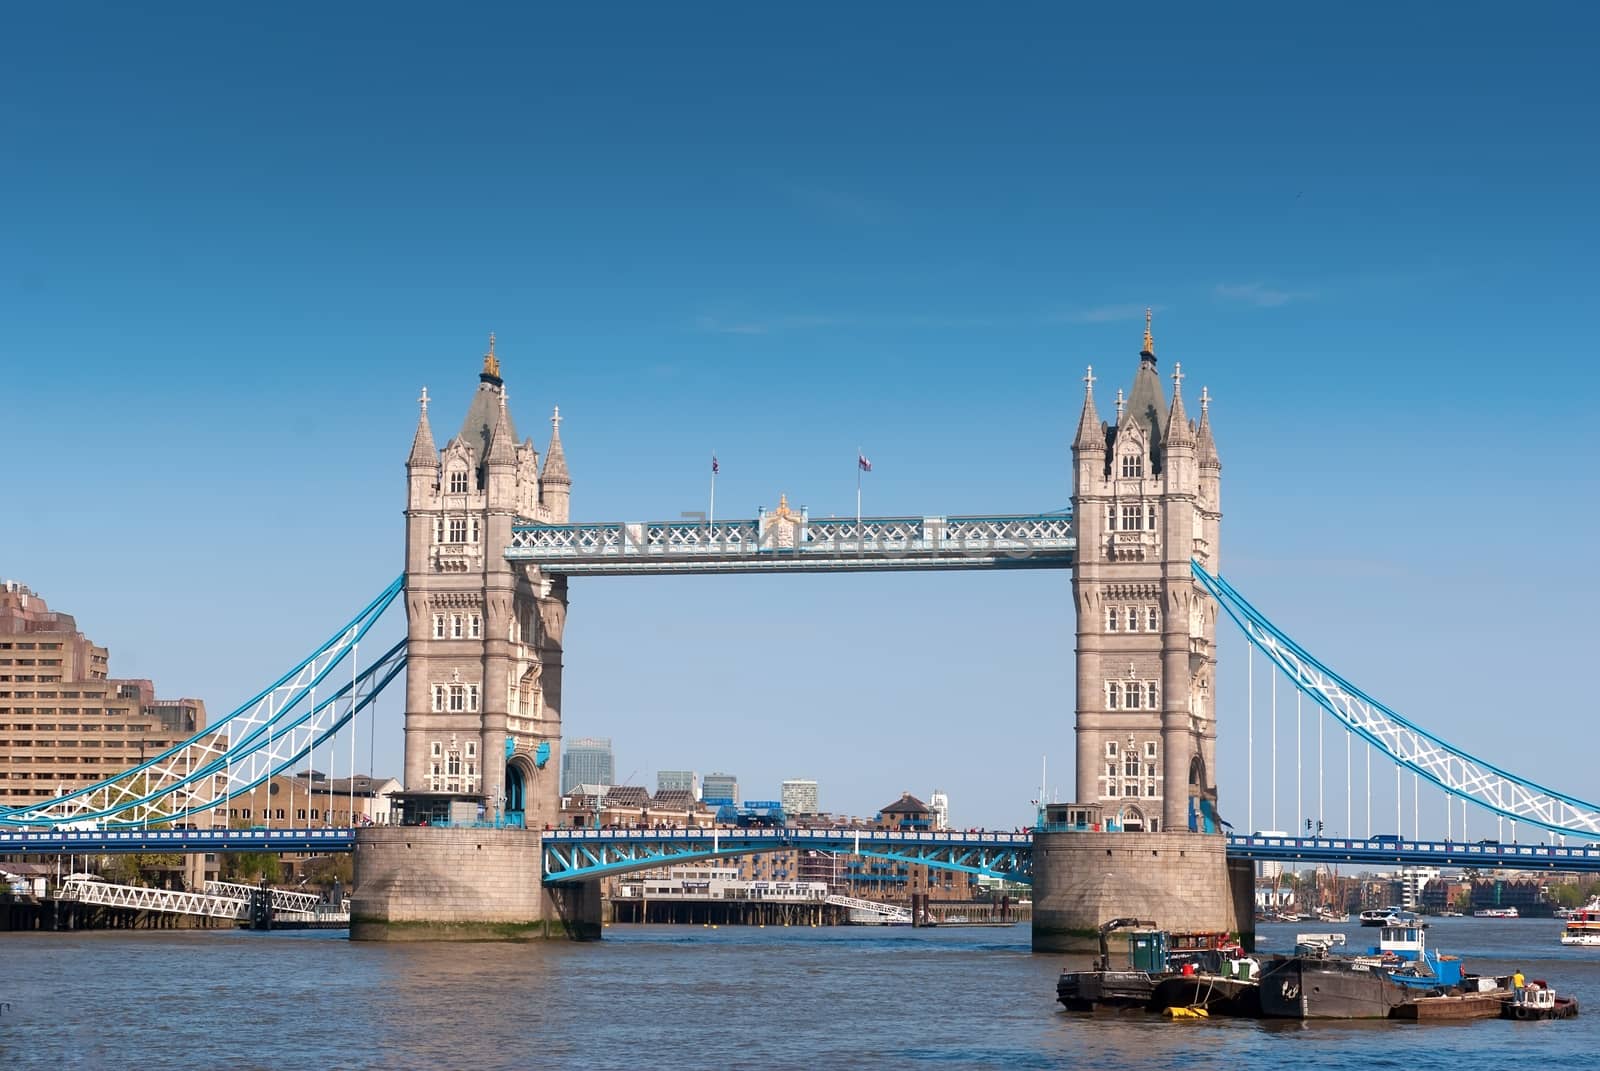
[[786, 544]]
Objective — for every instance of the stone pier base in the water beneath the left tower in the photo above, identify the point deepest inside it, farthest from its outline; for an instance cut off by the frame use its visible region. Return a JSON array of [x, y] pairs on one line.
[[462, 884]]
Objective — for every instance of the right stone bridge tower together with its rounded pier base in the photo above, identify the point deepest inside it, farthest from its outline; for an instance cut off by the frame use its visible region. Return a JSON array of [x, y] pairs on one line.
[[1143, 838]]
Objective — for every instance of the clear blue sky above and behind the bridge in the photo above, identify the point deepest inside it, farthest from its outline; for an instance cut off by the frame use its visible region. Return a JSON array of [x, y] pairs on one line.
[[236, 243]]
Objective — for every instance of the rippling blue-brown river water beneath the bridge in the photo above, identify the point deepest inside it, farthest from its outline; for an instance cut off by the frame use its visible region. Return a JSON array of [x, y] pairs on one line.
[[652, 998]]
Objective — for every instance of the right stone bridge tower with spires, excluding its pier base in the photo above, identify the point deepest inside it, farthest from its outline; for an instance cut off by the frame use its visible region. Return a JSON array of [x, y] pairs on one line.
[[1146, 502]]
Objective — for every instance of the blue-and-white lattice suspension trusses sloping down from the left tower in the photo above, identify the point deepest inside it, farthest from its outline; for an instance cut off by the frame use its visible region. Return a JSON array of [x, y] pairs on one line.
[[257, 742]]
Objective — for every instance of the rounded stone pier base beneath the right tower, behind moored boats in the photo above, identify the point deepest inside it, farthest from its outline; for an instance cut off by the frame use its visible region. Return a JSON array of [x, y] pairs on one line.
[[1180, 881]]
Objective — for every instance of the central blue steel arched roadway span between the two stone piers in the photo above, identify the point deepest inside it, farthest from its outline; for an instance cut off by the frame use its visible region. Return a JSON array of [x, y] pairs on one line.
[[590, 854]]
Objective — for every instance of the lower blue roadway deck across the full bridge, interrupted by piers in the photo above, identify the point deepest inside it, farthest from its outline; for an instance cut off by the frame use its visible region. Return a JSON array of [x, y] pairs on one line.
[[634, 849]]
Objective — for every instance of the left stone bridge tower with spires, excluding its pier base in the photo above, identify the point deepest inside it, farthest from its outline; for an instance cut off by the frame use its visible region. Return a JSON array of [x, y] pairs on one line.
[[484, 654]]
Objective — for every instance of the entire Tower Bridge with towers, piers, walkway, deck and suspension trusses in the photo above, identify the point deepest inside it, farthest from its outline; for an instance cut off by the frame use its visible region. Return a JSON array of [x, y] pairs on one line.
[[490, 550]]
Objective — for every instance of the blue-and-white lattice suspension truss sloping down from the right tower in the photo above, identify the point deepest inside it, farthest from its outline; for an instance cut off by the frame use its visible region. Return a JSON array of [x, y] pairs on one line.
[[1452, 769]]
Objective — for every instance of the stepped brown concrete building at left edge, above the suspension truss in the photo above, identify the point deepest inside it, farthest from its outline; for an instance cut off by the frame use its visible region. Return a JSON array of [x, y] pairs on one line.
[[65, 723]]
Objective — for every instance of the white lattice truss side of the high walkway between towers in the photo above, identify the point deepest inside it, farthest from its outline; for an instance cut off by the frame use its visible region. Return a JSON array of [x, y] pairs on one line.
[[948, 539]]
